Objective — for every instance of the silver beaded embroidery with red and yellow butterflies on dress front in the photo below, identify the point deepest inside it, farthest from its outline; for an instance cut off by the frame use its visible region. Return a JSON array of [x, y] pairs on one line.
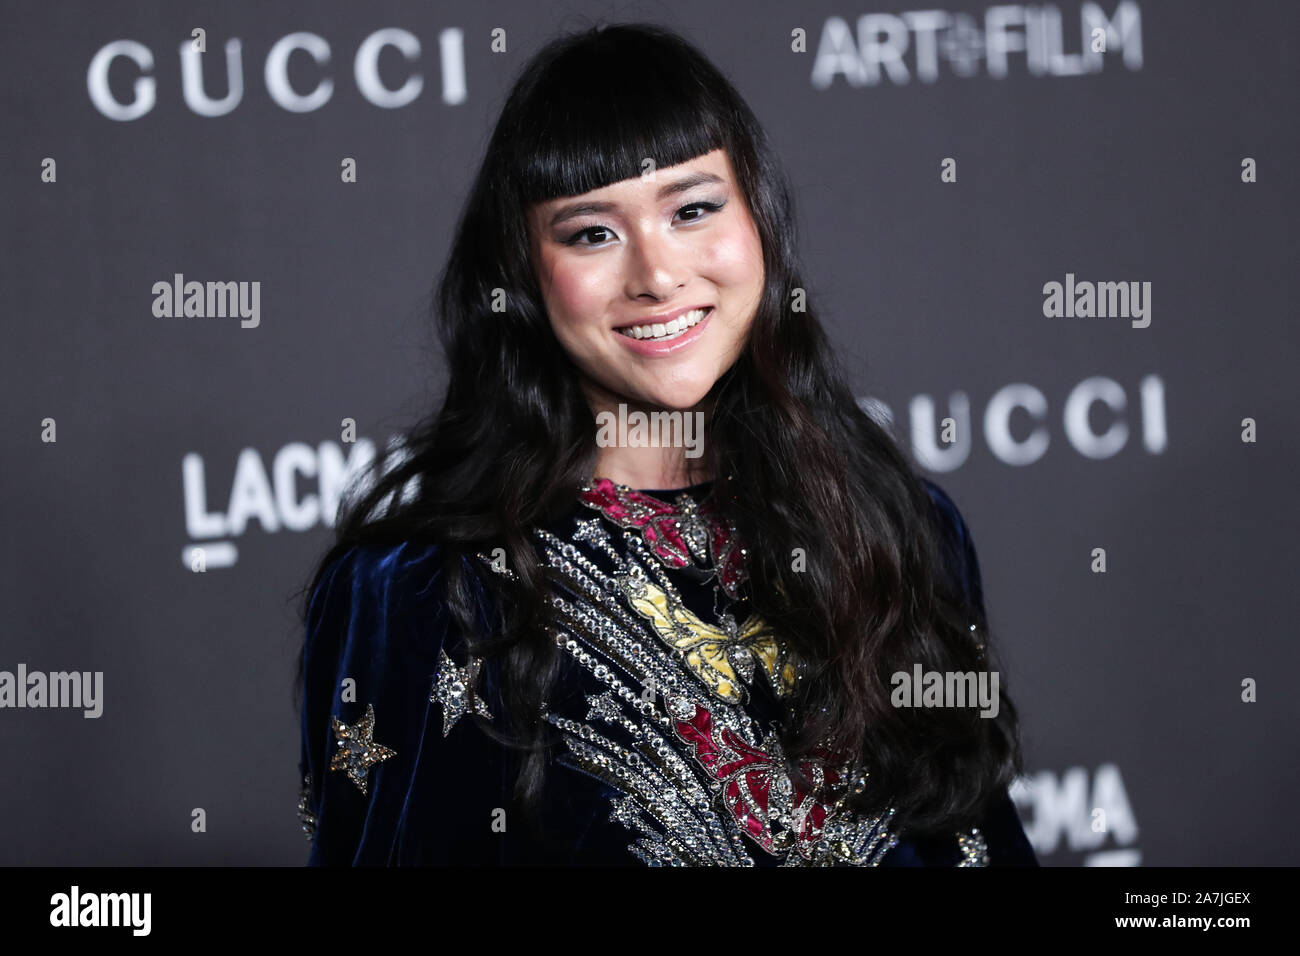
[[697, 780]]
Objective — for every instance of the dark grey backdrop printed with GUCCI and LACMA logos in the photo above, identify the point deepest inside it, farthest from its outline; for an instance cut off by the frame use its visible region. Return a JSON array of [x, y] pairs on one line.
[[991, 200]]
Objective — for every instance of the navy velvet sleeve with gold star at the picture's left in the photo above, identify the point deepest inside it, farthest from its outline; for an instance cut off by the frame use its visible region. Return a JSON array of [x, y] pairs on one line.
[[375, 630]]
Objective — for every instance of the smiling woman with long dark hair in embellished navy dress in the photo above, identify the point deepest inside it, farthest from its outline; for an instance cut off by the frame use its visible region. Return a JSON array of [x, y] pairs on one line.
[[536, 642]]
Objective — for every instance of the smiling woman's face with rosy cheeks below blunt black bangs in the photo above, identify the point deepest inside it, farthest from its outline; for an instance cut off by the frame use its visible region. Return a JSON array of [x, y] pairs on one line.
[[625, 269]]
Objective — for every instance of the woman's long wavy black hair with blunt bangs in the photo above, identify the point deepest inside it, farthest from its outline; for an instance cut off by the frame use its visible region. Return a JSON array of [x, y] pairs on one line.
[[799, 464]]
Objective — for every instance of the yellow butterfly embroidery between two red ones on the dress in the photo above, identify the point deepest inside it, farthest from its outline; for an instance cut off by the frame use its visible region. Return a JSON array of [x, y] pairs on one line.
[[717, 656]]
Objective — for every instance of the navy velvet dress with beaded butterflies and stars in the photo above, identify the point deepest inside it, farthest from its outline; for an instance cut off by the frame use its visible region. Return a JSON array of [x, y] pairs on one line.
[[665, 706]]
